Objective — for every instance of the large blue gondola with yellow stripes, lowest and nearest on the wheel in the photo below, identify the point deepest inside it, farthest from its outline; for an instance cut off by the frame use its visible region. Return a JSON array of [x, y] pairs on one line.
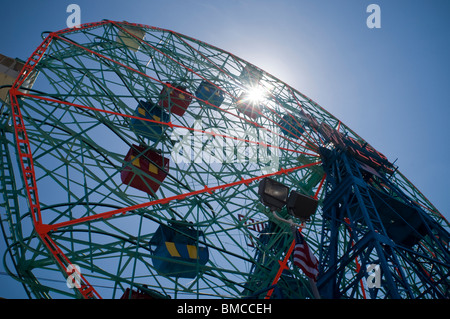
[[178, 251]]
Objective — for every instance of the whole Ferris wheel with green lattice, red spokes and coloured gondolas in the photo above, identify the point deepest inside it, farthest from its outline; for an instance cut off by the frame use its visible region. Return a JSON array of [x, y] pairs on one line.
[[144, 163]]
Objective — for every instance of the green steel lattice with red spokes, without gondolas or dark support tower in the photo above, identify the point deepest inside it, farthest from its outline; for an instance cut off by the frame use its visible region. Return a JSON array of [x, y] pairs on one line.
[[63, 148]]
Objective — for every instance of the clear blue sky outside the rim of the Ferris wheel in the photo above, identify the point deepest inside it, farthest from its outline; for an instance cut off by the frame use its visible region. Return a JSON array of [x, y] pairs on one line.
[[390, 85]]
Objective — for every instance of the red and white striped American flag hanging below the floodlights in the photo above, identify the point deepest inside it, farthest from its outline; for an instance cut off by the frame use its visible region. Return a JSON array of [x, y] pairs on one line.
[[304, 258]]
